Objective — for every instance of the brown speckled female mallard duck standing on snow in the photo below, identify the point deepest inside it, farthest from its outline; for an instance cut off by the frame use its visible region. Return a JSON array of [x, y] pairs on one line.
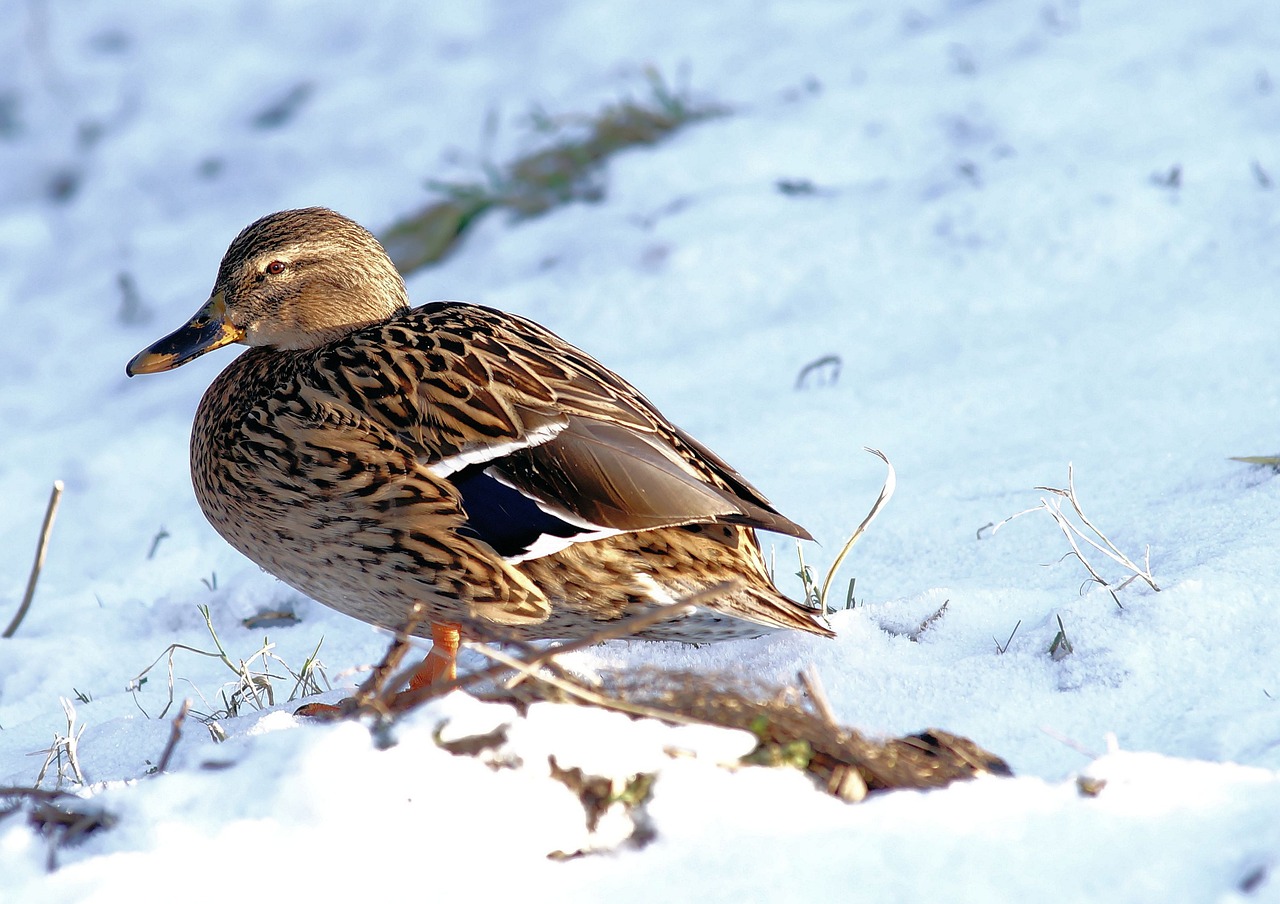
[[452, 456]]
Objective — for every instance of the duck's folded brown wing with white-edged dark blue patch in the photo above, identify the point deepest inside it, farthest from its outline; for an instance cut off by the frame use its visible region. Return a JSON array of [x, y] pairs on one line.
[[545, 445]]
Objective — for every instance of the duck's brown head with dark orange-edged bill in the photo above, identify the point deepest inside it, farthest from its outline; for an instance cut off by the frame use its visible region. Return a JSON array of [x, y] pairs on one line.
[[294, 280]]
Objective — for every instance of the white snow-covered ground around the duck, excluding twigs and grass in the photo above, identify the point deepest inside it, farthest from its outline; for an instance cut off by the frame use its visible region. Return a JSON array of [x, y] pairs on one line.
[[1039, 235]]
